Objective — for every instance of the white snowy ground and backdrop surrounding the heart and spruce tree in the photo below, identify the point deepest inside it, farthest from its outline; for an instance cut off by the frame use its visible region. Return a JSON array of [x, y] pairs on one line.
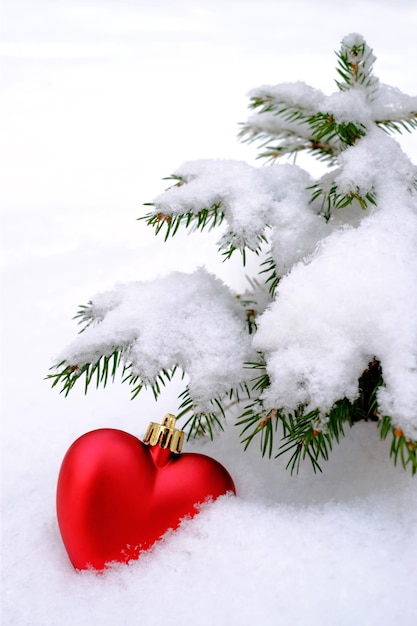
[[100, 100]]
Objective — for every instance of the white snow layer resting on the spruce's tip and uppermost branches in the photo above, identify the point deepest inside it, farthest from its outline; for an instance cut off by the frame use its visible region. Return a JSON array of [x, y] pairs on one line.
[[359, 102]]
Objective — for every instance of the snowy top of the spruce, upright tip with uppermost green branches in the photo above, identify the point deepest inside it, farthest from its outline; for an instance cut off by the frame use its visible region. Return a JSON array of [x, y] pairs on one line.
[[296, 117]]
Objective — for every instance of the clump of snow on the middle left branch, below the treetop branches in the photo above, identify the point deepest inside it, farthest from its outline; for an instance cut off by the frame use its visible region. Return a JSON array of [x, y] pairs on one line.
[[255, 202]]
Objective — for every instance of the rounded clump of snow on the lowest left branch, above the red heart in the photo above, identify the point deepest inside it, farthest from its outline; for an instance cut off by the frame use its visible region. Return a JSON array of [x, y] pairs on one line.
[[188, 320]]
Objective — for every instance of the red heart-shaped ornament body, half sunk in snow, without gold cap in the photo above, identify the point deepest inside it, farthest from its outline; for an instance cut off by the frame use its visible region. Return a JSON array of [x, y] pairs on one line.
[[116, 495]]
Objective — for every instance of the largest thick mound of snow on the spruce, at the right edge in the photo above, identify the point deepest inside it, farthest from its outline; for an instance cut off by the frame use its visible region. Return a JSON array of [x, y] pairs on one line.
[[354, 299]]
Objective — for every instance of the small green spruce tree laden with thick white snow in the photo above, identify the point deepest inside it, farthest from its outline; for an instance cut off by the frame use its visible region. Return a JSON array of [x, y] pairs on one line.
[[326, 332]]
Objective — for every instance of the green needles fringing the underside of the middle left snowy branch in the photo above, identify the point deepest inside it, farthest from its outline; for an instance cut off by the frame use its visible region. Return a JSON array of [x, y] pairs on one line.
[[205, 218]]
